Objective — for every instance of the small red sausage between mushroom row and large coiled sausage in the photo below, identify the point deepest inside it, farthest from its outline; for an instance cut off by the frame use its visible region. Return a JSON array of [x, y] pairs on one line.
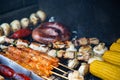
[[21, 33]]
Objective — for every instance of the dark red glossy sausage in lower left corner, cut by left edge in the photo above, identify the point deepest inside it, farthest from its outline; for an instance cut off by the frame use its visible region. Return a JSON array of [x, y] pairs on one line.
[[6, 71]]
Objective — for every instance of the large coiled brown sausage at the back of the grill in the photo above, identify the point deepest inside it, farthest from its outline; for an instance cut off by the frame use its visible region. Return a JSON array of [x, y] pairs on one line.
[[50, 32]]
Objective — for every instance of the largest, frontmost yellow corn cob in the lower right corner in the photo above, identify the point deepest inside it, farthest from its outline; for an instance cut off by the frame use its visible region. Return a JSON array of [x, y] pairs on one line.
[[104, 70]]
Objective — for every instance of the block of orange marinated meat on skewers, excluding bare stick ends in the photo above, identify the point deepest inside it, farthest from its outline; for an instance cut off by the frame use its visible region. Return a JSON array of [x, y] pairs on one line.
[[38, 62]]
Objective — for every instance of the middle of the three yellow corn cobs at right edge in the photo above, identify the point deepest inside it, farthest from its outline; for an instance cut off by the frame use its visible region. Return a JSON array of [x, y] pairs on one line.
[[112, 57]]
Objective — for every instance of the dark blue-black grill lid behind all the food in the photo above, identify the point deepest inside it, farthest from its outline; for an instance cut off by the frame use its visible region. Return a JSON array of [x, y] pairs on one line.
[[90, 18]]
